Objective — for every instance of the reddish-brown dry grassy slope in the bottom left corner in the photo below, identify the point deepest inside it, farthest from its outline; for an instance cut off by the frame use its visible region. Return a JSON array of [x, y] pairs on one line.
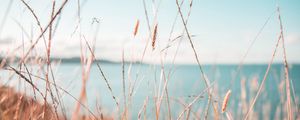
[[16, 105]]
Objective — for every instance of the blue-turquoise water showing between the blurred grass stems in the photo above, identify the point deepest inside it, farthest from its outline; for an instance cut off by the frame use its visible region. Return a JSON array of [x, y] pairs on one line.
[[184, 82]]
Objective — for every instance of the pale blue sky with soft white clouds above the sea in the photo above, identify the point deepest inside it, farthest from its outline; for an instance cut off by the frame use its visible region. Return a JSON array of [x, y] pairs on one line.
[[222, 30]]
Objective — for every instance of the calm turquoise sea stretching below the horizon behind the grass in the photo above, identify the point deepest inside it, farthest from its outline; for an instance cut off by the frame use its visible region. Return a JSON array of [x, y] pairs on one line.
[[144, 85]]
